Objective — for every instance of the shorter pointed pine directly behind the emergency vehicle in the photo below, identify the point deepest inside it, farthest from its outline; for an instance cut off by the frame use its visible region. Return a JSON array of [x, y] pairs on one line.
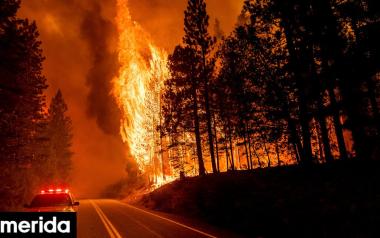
[[60, 135]]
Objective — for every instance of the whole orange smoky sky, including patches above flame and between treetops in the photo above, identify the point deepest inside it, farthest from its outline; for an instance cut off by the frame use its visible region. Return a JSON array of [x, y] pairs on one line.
[[71, 50]]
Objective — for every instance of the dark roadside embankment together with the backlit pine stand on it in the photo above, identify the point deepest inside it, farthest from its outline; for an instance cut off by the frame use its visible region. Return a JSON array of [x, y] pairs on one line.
[[274, 129]]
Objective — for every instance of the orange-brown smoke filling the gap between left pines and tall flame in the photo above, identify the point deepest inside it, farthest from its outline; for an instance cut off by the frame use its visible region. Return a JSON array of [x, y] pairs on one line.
[[80, 62]]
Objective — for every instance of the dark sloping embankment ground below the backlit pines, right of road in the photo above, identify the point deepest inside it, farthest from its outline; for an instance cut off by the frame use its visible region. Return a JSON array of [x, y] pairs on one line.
[[336, 200]]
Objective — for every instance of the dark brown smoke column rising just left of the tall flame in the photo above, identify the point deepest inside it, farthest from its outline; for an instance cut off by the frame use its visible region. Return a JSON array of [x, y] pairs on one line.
[[99, 33]]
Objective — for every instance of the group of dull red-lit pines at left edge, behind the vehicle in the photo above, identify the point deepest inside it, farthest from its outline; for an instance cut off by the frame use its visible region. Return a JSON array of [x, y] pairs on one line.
[[35, 139]]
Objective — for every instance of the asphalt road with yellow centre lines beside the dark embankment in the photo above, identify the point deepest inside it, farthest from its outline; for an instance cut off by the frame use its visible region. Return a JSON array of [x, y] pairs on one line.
[[110, 218]]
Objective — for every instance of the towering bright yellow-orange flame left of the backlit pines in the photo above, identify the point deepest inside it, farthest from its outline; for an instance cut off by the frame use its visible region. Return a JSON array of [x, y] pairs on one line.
[[143, 69]]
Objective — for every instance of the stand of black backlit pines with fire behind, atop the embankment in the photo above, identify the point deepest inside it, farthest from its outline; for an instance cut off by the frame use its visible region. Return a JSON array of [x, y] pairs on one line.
[[296, 82]]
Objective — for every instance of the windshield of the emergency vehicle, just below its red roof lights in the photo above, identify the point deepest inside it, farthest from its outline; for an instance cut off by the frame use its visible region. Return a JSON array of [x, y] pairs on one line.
[[51, 200]]
